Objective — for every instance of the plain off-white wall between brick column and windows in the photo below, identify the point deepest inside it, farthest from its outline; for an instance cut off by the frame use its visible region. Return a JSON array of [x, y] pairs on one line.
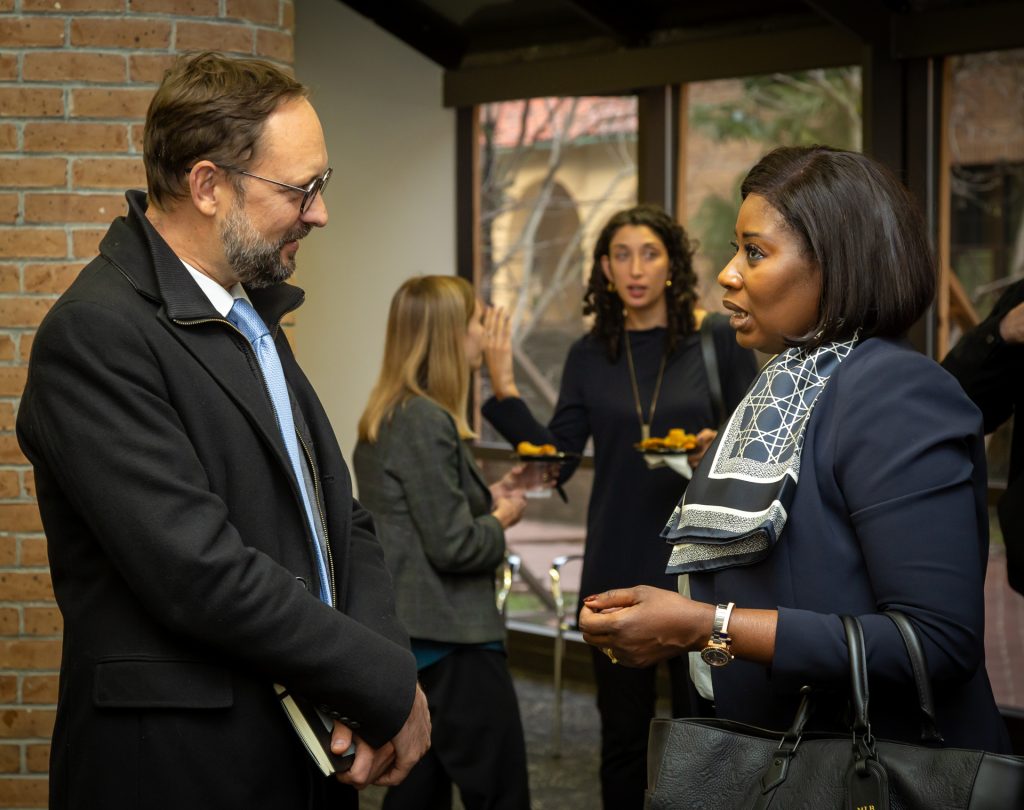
[[392, 200]]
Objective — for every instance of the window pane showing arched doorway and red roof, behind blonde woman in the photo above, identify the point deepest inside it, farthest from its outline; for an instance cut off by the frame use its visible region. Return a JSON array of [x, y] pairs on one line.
[[552, 172]]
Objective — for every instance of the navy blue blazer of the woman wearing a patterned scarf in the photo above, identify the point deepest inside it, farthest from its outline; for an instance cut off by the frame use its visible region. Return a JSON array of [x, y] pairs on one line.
[[890, 513]]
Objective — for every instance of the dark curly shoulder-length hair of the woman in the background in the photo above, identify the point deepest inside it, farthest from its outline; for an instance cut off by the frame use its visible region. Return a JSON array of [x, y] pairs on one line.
[[681, 296]]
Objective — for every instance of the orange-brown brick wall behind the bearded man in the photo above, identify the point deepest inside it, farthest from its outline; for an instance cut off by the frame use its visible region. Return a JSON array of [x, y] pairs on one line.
[[76, 77]]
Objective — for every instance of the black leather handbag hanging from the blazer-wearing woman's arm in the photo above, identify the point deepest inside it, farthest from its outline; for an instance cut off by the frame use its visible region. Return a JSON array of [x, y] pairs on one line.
[[708, 764]]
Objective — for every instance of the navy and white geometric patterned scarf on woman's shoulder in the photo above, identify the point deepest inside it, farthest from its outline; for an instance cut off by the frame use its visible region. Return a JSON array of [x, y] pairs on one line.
[[736, 507]]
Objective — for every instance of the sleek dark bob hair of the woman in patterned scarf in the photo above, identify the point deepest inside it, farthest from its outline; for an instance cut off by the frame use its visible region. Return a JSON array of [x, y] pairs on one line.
[[862, 229]]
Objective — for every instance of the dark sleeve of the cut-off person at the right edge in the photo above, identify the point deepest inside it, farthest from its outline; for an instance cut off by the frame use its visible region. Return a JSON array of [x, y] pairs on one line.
[[991, 370]]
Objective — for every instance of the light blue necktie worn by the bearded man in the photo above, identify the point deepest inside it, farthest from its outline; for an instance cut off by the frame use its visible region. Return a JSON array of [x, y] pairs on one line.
[[252, 326]]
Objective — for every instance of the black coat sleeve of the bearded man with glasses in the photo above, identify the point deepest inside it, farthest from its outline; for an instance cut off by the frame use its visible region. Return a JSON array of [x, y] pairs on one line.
[[100, 418]]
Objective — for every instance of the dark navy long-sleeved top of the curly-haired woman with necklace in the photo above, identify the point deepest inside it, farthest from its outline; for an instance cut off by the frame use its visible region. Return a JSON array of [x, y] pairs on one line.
[[629, 503]]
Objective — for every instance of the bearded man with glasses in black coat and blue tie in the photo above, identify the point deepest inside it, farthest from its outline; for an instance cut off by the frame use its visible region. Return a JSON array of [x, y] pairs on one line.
[[204, 542]]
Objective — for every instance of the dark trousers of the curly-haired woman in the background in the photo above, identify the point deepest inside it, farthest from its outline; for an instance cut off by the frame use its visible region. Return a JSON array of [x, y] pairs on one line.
[[626, 700]]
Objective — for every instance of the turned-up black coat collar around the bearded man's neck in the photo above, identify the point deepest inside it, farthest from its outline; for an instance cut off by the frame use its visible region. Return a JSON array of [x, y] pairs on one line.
[[166, 280]]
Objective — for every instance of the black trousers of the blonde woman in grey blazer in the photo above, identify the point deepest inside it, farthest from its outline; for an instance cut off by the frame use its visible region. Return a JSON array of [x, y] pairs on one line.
[[477, 739]]
